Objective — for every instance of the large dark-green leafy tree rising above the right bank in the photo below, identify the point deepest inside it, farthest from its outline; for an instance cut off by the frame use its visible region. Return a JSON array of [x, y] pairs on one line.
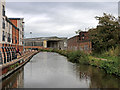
[[106, 34]]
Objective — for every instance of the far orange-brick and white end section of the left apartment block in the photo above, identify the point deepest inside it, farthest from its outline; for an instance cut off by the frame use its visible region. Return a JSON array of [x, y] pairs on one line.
[[17, 34]]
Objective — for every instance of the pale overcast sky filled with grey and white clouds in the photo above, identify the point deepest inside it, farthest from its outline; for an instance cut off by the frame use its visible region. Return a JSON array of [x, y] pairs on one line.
[[61, 19]]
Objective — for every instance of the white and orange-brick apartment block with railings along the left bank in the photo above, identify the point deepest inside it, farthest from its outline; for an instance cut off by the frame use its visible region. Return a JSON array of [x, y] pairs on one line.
[[11, 35]]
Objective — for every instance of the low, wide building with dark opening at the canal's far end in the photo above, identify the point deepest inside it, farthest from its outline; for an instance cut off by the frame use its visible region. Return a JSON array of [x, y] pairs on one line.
[[46, 42]]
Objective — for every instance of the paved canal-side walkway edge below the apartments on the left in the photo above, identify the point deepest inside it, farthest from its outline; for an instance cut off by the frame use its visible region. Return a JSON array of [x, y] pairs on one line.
[[10, 68]]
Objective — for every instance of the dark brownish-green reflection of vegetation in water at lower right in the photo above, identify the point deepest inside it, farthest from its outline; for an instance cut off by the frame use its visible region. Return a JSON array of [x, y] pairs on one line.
[[98, 78]]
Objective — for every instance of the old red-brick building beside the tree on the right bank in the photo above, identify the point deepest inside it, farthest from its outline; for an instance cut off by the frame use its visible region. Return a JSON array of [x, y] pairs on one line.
[[80, 42]]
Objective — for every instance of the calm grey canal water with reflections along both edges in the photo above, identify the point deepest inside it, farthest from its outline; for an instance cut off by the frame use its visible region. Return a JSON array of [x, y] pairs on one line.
[[51, 70]]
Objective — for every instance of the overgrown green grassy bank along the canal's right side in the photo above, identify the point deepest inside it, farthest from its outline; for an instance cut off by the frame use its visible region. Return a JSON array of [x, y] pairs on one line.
[[110, 66]]
